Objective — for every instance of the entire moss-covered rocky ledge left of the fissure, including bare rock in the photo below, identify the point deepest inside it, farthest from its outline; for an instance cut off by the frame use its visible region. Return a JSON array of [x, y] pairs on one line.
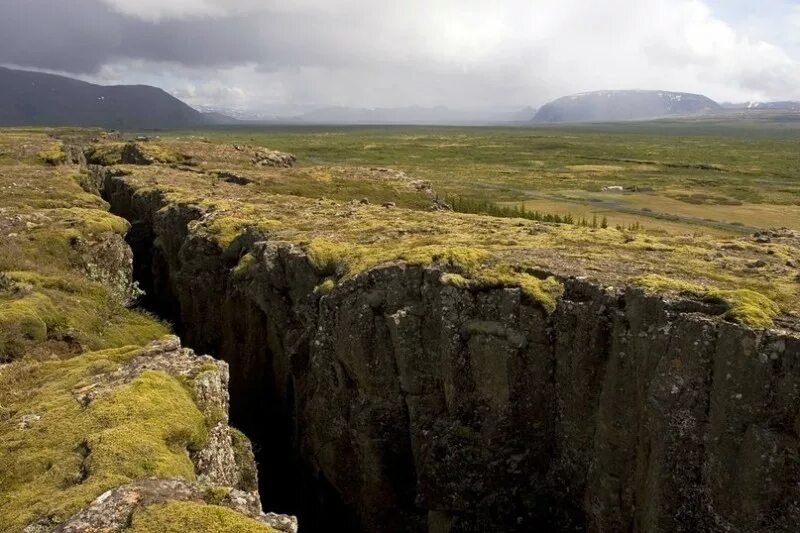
[[107, 423]]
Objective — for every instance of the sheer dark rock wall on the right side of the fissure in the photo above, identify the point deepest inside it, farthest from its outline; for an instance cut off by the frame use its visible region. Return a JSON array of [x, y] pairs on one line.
[[415, 405]]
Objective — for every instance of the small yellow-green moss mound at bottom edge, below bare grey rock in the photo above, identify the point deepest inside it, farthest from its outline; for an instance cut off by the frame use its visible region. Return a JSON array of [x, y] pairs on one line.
[[183, 517]]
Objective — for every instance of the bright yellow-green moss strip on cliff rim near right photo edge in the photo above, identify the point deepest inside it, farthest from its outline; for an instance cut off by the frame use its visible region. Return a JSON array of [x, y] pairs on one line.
[[745, 306]]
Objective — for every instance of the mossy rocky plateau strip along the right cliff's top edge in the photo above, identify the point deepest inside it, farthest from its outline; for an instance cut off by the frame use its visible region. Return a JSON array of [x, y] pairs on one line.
[[345, 237]]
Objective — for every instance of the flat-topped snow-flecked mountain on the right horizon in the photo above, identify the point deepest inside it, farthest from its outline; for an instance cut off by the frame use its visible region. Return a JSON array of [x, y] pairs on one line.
[[608, 106]]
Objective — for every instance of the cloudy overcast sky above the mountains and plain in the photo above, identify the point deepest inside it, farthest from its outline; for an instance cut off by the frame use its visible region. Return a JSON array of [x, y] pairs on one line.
[[384, 53]]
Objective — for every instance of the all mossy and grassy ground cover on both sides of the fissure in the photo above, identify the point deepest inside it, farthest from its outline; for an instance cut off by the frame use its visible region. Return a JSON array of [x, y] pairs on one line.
[[356, 199]]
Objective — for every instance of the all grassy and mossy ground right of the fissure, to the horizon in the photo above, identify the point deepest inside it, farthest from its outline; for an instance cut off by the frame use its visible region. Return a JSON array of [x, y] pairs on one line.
[[332, 204]]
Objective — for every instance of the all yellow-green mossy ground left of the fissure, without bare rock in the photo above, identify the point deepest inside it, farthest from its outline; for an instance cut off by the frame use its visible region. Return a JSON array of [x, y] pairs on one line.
[[60, 329]]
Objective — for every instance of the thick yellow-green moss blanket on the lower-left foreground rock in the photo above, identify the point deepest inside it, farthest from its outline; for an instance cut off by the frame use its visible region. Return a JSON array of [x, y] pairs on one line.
[[73, 454]]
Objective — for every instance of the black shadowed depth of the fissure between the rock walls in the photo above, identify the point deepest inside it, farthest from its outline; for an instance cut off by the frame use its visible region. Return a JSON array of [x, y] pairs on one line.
[[264, 418]]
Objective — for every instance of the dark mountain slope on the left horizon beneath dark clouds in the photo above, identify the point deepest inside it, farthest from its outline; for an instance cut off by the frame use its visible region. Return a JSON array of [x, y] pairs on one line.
[[37, 99]]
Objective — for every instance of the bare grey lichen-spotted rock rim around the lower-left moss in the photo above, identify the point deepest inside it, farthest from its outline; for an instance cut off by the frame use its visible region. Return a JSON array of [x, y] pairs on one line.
[[224, 467]]
